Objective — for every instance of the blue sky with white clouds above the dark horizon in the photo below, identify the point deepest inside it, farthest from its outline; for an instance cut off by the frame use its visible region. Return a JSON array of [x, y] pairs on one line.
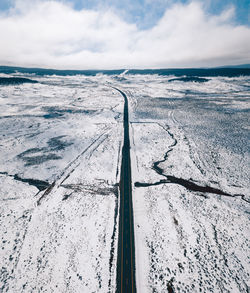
[[108, 34]]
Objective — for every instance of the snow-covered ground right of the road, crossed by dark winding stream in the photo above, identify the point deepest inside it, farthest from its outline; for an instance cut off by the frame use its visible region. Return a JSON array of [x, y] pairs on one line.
[[189, 241]]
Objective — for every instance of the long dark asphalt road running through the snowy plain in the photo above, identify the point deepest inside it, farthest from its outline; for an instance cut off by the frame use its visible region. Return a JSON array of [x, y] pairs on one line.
[[126, 247]]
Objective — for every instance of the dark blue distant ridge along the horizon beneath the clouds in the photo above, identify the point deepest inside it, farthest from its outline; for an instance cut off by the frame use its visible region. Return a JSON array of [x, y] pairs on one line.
[[231, 71]]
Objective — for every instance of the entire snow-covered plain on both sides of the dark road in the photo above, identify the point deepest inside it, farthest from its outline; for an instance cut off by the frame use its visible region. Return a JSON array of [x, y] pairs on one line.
[[67, 133]]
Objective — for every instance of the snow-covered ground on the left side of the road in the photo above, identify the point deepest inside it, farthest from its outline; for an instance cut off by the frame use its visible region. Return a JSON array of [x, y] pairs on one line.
[[68, 133]]
